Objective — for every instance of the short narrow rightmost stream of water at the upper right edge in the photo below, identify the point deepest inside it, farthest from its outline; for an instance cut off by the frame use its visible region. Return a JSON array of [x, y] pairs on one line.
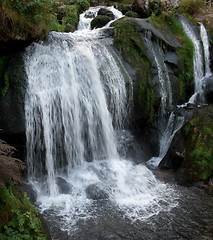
[[204, 38]]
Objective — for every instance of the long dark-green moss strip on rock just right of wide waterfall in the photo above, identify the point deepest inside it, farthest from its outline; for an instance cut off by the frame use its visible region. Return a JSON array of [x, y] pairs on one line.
[[128, 41]]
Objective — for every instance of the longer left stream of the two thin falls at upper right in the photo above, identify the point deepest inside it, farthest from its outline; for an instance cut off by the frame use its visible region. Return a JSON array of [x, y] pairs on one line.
[[198, 63]]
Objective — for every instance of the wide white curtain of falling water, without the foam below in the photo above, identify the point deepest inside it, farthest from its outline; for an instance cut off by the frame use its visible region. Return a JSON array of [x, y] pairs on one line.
[[66, 105]]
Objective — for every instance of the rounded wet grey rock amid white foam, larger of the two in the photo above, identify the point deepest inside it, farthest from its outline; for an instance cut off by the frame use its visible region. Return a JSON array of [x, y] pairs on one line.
[[95, 193]]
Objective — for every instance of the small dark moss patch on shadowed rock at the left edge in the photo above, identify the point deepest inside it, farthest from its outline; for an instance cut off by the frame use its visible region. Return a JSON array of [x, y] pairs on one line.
[[4, 79]]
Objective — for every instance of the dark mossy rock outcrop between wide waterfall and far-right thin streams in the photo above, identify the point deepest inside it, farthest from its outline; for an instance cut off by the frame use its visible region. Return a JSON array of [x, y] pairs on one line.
[[145, 48]]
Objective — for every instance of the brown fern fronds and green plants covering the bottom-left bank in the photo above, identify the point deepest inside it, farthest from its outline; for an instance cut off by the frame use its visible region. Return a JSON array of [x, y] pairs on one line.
[[18, 219]]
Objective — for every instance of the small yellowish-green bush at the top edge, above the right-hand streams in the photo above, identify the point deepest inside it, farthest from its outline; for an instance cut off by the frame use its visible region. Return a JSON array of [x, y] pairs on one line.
[[191, 7]]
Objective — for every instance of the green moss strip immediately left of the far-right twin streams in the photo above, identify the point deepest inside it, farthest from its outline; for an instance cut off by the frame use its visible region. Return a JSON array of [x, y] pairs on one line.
[[185, 52]]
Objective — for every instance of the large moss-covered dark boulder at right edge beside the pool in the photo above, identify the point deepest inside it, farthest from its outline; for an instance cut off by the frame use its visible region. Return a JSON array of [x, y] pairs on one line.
[[191, 151]]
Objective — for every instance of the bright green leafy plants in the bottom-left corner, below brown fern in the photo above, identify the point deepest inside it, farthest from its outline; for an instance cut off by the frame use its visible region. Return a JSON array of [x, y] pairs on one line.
[[22, 218]]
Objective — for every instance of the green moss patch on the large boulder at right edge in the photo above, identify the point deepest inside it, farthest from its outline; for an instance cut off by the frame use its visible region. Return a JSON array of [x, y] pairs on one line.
[[198, 135]]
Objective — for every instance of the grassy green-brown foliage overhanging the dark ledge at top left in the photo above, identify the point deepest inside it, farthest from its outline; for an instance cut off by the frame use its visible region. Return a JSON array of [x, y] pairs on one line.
[[34, 17]]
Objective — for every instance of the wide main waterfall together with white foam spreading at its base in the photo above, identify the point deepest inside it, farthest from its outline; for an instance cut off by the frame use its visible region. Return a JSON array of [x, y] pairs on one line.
[[76, 99]]
